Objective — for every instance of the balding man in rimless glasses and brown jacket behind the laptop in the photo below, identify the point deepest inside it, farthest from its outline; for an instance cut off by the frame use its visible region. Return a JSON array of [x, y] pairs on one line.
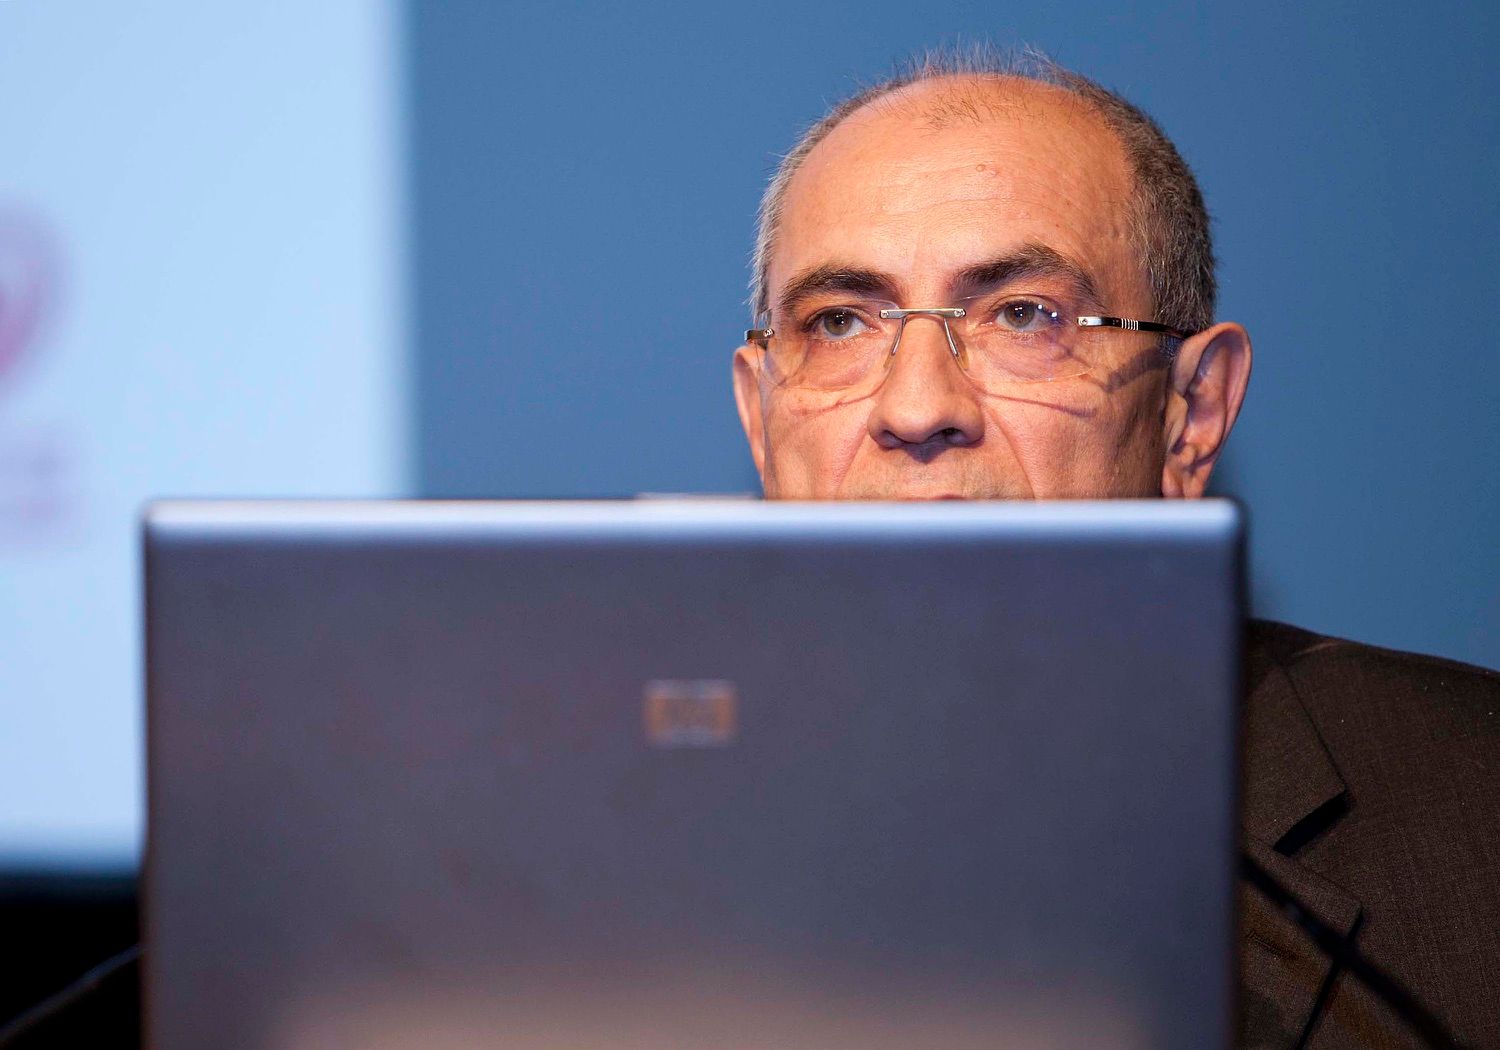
[[989, 281]]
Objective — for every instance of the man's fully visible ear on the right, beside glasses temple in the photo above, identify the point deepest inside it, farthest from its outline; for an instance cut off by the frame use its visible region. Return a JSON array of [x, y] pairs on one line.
[[1208, 386]]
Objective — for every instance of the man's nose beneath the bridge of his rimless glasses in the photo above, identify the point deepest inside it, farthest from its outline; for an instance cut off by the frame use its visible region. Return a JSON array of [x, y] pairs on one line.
[[926, 403]]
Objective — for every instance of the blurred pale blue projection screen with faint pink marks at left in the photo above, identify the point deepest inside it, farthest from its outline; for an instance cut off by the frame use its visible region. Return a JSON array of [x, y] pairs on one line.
[[200, 293]]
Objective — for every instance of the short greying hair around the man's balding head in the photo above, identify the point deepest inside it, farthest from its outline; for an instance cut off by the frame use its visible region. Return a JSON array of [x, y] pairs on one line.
[[1169, 224]]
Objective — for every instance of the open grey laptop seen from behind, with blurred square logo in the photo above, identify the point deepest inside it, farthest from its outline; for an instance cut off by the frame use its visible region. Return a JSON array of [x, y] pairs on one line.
[[691, 775]]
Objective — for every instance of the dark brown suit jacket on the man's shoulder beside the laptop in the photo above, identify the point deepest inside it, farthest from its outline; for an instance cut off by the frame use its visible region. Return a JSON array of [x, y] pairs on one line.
[[1373, 794]]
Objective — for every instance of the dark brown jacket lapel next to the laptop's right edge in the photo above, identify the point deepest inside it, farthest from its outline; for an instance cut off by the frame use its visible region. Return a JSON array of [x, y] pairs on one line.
[[1291, 791]]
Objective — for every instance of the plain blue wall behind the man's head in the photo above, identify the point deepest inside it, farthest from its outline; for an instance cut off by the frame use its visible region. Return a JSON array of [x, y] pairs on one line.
[[584, 181]]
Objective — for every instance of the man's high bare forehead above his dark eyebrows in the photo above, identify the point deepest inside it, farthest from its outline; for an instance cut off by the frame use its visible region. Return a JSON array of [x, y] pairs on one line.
[[941, 176]]
